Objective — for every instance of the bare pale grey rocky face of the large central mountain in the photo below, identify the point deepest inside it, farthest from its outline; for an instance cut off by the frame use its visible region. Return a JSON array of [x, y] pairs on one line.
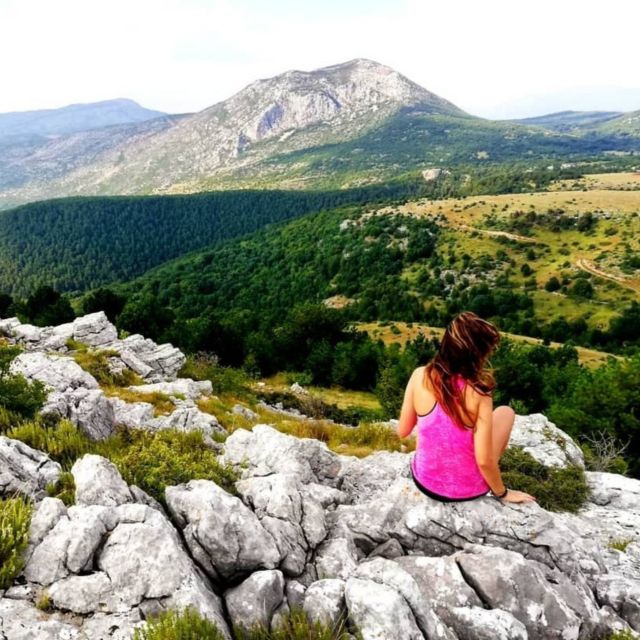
[[291, 111]]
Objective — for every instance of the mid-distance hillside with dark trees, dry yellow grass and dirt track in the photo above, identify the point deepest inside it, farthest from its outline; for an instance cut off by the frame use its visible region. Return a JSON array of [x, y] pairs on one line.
[[558, 264]]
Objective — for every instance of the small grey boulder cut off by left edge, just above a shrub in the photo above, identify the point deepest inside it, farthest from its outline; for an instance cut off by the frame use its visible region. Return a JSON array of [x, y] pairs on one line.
[[24, 470]]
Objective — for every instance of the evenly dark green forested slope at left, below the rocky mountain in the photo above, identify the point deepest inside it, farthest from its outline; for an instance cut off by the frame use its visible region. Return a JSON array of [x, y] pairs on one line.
[[78, 243]]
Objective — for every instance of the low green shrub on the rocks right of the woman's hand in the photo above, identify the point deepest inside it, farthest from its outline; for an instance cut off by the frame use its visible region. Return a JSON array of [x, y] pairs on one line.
[[556, 489]]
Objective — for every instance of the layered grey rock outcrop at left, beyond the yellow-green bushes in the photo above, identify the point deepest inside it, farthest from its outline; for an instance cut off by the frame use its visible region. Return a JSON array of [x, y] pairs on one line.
[[75, 394]]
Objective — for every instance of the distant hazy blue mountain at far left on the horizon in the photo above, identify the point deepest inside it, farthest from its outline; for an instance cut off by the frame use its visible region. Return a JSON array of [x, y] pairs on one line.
[[73, 118]]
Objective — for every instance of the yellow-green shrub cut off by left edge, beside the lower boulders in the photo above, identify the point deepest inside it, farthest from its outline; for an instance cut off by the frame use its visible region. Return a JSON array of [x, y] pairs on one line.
[[15, 518]]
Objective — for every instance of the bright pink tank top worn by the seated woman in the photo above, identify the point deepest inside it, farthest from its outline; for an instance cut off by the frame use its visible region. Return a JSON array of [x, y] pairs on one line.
[[444, 461]]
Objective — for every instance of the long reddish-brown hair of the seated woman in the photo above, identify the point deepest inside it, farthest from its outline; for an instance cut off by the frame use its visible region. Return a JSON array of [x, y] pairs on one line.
[[467, 343]]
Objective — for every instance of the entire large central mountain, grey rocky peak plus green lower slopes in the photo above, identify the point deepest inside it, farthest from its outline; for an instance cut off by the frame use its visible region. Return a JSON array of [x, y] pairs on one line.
[[345, 125]]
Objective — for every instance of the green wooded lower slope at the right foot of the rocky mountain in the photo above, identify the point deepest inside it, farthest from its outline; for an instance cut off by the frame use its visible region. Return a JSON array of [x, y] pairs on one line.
[[411, 140]]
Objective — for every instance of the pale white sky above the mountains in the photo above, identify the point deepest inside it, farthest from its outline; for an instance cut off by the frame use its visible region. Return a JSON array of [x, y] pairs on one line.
[[493, 58]]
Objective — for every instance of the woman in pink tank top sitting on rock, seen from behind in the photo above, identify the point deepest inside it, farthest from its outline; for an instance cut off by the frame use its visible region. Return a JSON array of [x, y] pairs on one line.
[[460, 436]]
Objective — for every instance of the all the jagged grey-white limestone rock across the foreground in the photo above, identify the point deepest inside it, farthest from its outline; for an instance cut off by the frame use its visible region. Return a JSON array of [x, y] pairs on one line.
[[339, 536]]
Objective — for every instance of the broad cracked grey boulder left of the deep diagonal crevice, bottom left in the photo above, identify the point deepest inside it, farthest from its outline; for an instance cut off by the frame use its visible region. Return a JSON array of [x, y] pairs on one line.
[[113, 561]]
